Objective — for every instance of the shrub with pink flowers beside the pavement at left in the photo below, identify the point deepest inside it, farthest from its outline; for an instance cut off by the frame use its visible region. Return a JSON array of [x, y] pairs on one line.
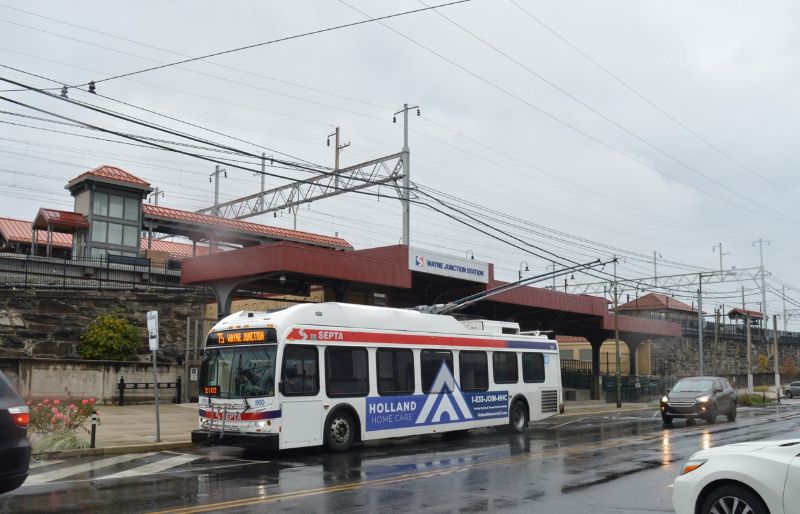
[[57, 421]]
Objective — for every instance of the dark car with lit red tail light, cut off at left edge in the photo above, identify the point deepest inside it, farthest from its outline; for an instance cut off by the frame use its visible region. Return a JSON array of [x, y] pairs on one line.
[[15, 450]]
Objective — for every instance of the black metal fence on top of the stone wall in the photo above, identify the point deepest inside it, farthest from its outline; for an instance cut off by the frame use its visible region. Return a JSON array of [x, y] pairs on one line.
[[113, 274]]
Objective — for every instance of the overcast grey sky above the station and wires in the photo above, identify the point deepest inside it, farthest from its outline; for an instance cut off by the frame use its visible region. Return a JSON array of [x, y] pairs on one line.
[[590, 127]]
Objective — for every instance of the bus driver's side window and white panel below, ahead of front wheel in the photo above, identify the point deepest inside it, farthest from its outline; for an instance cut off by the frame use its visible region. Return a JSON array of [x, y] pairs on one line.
[[301, 407]]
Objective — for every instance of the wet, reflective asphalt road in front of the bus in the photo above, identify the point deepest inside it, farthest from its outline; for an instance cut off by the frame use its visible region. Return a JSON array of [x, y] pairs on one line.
[[599, 463]]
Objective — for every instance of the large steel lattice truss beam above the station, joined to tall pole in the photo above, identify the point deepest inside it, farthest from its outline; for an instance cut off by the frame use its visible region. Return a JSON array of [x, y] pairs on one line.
[[353, 178]]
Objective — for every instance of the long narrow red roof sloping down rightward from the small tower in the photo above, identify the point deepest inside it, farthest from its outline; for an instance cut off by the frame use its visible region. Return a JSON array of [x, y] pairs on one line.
[[156, 211]]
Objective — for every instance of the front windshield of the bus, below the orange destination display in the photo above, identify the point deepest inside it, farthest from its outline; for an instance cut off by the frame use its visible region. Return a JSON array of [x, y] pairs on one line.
[[239, 372]]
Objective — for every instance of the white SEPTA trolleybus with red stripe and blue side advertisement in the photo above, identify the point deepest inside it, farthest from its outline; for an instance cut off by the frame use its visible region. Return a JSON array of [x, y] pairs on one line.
[[334, 374]]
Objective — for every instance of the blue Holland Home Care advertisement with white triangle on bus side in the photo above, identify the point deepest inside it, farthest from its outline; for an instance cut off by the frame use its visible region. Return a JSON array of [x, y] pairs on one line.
[[445, 403]]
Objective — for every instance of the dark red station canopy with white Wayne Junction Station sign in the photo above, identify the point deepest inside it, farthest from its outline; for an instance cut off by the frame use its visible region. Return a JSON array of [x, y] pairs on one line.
[[406, 277]]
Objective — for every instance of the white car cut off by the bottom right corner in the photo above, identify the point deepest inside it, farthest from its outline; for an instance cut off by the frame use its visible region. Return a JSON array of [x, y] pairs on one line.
[[745, 478]]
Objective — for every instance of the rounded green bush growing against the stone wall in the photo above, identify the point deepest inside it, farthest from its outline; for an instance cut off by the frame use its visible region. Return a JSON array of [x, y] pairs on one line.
[[110, 337]]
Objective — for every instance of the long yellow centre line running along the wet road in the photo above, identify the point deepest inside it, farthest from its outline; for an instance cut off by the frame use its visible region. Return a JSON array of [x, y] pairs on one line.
[[583, 448]]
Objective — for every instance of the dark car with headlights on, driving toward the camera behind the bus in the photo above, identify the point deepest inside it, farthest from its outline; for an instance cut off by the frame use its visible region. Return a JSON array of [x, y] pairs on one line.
[[699, 397]]
